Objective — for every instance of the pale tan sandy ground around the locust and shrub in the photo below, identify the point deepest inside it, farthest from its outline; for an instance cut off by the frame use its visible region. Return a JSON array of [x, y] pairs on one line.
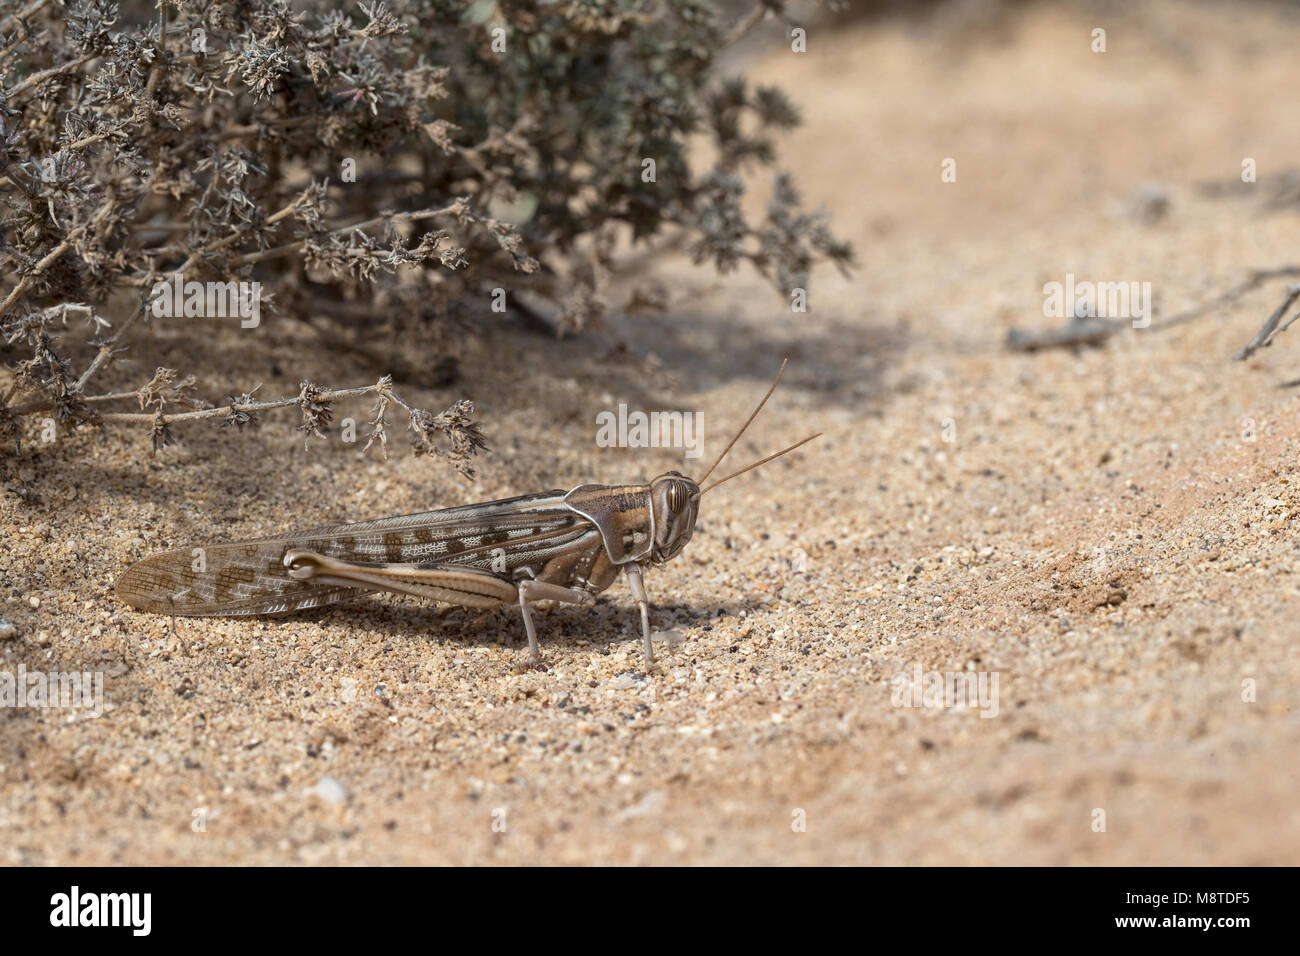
[[1103, 533]]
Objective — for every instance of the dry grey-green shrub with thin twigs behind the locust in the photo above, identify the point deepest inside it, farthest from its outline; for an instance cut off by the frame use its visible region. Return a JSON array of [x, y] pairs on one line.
[[380, 172]]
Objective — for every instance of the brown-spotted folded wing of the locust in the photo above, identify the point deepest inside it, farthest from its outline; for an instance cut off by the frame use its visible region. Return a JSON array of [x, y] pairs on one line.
[[250, 577]]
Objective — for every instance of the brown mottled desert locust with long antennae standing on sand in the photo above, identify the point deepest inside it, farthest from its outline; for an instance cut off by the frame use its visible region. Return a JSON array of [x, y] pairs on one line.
[[558, 546]]
